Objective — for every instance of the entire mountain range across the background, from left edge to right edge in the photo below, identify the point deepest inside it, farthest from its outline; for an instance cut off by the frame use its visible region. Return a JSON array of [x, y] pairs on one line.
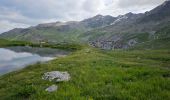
[[106, 32]]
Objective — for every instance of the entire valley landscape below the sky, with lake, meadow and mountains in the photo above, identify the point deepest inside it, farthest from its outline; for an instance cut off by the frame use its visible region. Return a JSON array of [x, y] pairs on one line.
[[99, 58]]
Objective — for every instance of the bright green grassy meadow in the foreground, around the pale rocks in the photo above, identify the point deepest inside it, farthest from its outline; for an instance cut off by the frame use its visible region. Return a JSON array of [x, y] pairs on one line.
[[95, 74]]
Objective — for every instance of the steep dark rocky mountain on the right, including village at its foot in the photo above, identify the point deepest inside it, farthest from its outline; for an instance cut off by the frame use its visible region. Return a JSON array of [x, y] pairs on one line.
[[132, 29]]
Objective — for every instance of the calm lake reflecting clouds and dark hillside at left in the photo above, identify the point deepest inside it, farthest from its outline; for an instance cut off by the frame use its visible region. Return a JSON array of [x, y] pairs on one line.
[[14, 58]]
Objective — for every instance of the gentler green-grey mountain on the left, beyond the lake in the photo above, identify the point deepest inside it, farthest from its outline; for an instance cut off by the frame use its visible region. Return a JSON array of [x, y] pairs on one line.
[[58, 31]]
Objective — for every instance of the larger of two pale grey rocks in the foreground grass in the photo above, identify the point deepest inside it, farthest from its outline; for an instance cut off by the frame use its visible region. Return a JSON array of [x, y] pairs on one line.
[[56, 76]]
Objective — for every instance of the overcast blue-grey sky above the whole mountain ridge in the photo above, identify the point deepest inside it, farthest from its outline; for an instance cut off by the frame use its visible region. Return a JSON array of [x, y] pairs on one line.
[[25, 13]]
